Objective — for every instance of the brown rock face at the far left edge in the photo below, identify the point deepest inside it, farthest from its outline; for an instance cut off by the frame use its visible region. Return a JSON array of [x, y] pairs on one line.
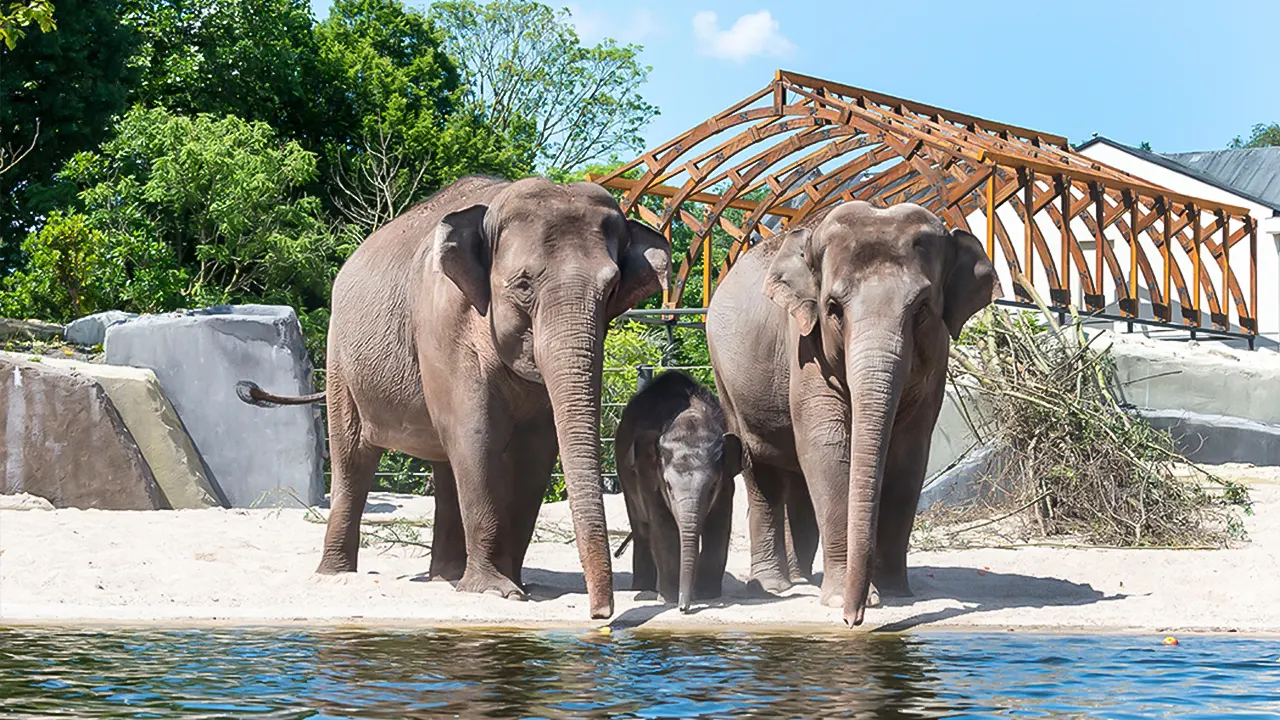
[[65, 441]]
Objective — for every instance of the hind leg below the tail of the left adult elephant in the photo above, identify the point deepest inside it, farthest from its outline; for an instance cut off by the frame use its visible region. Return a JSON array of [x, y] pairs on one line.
[[354, 462]]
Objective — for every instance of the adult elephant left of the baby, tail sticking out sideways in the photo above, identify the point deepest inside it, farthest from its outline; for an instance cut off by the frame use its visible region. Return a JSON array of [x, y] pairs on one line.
[[470, 332]]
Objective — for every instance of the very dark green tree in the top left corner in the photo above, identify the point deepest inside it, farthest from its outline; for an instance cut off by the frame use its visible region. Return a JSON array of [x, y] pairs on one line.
[[61, 90]]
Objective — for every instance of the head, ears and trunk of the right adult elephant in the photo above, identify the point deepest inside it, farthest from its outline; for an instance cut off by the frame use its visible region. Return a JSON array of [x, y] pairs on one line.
[[877, 293]]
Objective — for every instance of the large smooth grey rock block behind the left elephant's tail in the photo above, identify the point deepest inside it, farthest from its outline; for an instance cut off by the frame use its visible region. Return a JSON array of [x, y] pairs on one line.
[[254, 455]]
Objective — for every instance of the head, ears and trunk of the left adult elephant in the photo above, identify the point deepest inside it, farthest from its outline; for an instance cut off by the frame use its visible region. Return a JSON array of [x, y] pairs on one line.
[[550, 266]]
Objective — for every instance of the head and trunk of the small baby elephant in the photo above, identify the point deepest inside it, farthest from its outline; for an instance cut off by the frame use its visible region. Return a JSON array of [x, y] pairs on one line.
[[697, 462]]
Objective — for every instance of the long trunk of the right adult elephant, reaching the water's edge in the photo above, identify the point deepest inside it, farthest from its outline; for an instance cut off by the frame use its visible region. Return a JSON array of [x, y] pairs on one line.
[[876, 367]]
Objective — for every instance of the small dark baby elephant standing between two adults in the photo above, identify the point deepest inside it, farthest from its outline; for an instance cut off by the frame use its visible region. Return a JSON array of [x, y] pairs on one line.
[[676, 466]]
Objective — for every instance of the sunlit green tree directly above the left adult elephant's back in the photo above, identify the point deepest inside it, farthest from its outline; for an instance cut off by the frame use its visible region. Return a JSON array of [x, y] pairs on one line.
[[394, 108]]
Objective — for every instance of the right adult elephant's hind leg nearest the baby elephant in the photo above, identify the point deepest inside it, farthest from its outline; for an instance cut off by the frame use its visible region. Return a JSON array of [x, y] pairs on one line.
[[766, 495]]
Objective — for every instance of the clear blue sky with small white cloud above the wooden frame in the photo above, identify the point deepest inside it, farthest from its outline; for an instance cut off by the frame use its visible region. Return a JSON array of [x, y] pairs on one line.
[[1180, 75]]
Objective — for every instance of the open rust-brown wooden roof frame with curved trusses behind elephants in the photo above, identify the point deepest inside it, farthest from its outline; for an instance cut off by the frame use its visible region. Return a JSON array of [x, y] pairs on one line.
[[803, 145]]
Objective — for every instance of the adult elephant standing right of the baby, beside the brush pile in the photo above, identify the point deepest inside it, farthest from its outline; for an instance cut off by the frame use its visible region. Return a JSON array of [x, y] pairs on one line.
[[830, 349]]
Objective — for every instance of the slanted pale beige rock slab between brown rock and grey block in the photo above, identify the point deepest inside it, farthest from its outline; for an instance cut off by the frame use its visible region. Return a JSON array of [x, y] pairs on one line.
[[156, 427]]
